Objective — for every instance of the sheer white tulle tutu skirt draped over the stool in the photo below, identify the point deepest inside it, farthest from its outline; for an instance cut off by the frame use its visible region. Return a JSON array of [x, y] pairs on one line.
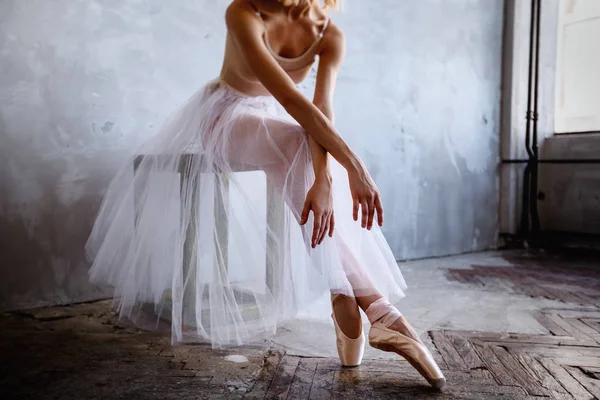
[[199, 229]]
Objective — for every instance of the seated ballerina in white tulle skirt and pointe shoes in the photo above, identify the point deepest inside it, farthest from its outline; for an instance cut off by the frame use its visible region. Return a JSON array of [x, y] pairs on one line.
[[182, 225]]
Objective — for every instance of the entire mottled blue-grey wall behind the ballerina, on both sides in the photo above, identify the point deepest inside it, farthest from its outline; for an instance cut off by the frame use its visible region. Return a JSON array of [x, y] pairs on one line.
[[82, 81]]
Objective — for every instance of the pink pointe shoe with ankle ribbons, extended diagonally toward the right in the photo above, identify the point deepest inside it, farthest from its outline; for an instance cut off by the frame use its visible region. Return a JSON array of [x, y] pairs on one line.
[[382, 315]]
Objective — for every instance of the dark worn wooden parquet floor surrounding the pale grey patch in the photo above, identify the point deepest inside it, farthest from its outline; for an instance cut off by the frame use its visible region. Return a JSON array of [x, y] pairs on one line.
[[83, 352]]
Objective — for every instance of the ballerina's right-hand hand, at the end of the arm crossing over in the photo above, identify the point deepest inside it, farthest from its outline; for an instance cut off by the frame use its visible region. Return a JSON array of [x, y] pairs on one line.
[[366, 195]]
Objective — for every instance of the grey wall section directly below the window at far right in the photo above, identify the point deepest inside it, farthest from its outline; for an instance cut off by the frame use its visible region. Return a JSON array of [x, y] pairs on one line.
[[571, 192]]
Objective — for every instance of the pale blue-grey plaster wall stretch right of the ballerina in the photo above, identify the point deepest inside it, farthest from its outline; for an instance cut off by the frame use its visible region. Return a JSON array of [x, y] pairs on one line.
[[419, 98]]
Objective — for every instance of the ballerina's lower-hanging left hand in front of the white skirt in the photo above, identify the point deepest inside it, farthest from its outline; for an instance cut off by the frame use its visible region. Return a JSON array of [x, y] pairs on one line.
[[319, 199]]
